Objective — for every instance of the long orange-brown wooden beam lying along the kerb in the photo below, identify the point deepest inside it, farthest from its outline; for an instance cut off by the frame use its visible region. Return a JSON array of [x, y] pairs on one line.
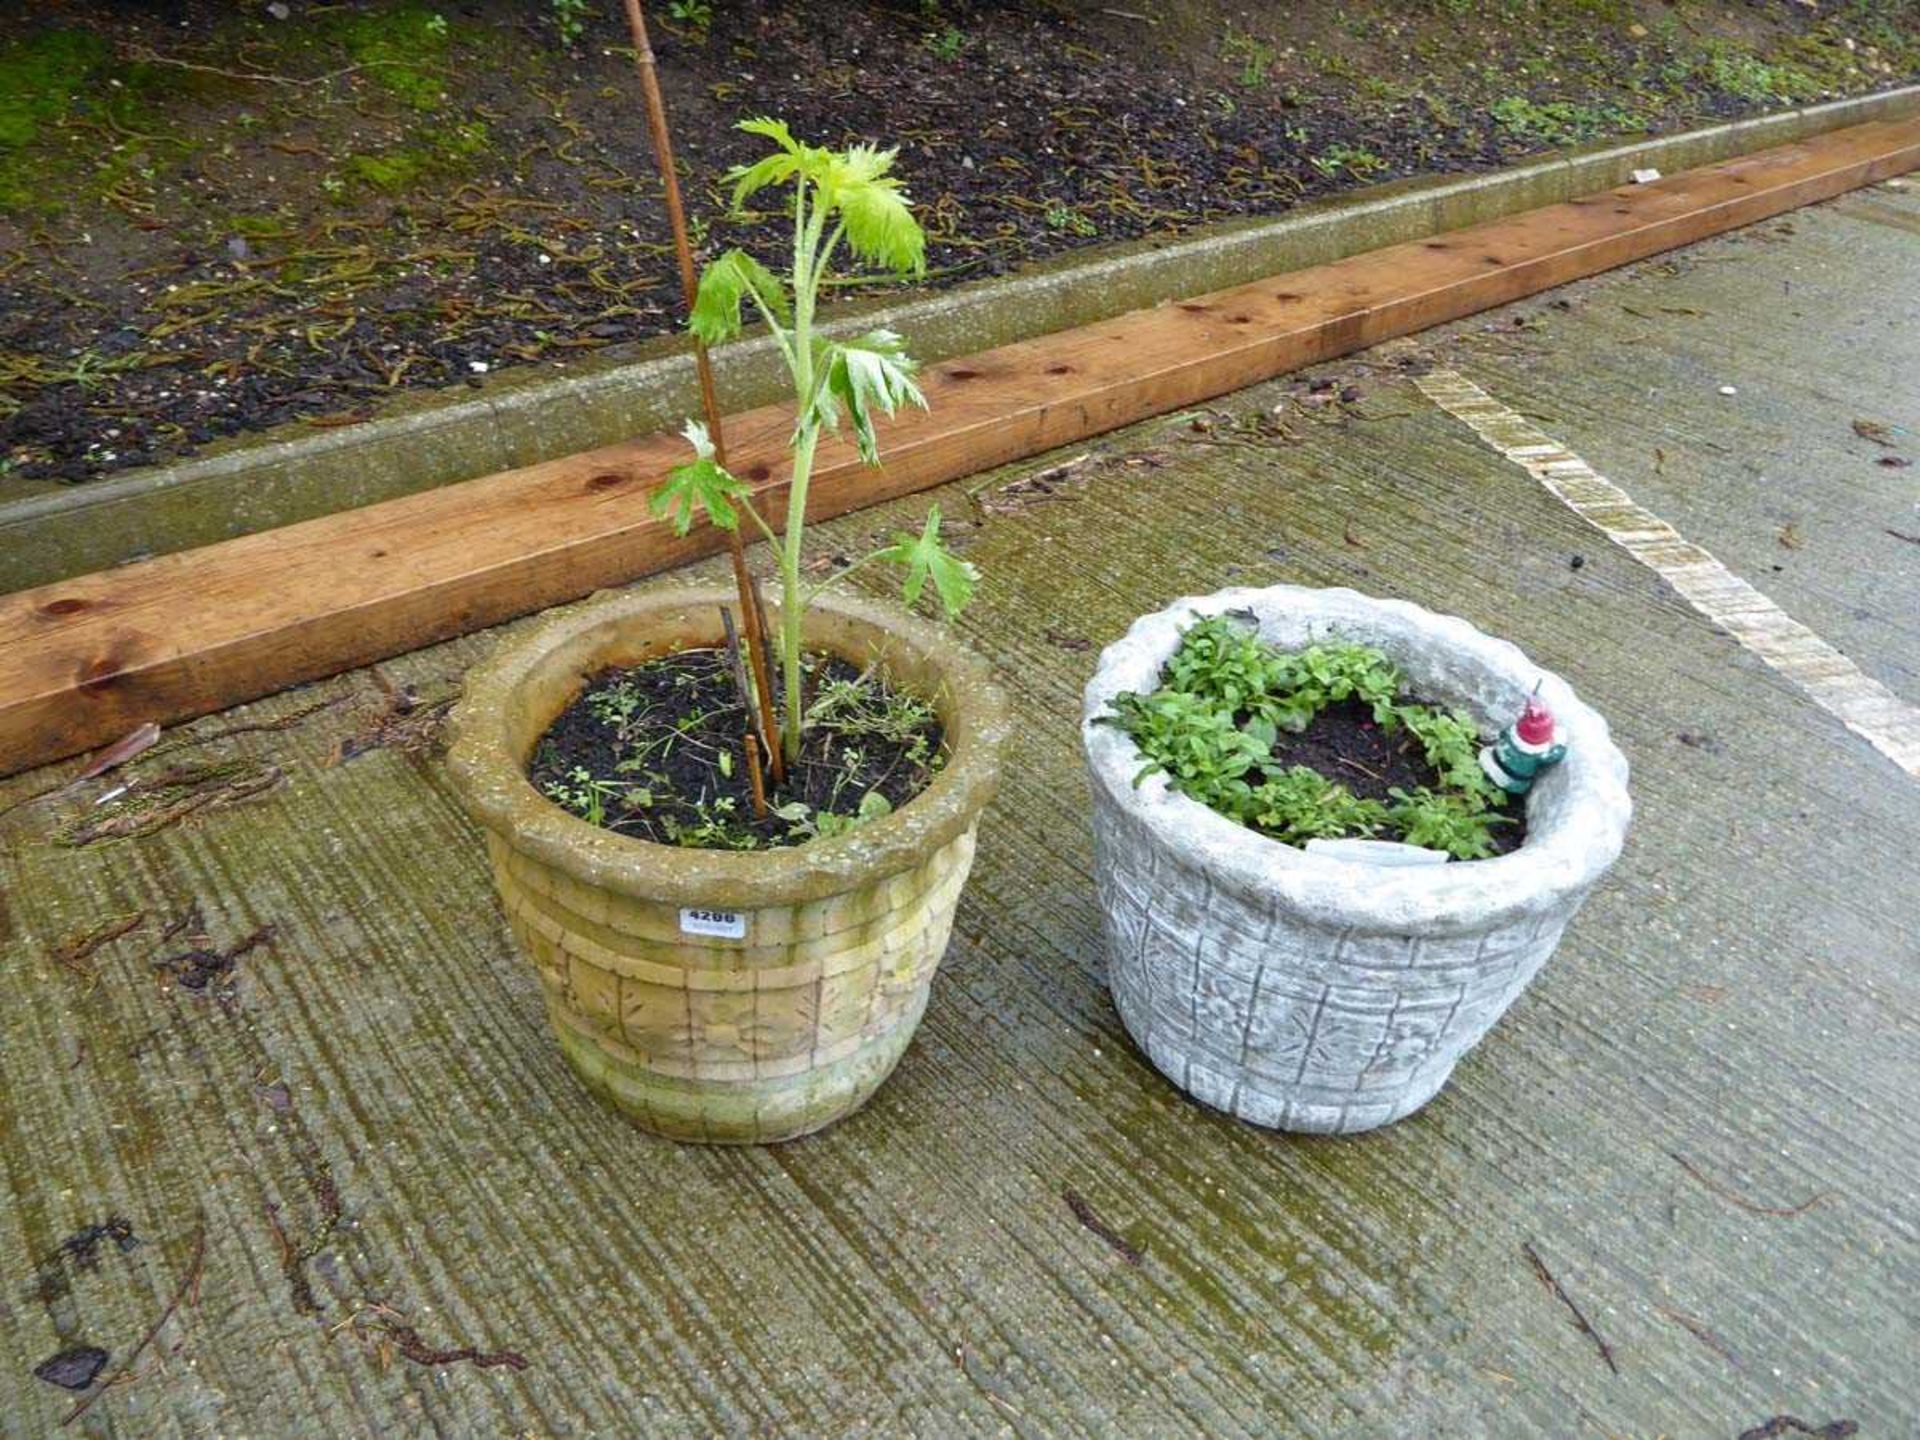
[[87, 660]]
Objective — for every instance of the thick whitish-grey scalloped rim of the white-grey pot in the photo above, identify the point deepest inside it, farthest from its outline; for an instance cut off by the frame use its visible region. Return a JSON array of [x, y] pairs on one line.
[[1577, 815]]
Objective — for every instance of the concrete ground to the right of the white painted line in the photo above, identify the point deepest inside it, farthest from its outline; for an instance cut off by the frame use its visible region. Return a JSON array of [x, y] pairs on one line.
[[1813, 335]]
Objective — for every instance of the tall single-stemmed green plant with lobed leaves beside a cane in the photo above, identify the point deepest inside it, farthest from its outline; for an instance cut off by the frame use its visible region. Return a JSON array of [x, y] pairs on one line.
[[838, 199]]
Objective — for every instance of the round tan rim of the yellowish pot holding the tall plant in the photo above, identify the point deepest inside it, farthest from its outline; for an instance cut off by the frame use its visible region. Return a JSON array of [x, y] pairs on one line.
[[512, 698]]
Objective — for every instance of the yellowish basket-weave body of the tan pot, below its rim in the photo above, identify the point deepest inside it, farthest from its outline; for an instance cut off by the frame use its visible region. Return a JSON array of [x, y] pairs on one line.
[[754, 1040]]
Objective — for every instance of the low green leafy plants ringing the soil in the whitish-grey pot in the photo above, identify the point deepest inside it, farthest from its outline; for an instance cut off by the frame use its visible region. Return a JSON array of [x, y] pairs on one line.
[[1318, 744]]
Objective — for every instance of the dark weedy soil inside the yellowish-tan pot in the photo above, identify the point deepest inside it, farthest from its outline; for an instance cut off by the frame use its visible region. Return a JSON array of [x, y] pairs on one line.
[[640, 752]]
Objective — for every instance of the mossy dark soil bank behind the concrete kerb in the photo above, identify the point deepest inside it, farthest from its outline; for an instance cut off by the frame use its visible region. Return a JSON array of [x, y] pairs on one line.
[[220, 220]]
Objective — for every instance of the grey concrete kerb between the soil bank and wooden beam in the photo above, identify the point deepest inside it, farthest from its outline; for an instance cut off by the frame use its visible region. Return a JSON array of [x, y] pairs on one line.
[[299, 473]]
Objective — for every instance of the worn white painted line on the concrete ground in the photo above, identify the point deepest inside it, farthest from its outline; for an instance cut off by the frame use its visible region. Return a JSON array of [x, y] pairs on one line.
[[1835, 683]]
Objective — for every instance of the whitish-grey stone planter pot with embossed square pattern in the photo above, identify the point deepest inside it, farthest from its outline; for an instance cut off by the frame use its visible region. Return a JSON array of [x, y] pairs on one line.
[[1324, 996]]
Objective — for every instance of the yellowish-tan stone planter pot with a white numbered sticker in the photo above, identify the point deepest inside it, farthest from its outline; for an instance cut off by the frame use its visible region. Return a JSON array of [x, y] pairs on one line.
[[715, 996]]
